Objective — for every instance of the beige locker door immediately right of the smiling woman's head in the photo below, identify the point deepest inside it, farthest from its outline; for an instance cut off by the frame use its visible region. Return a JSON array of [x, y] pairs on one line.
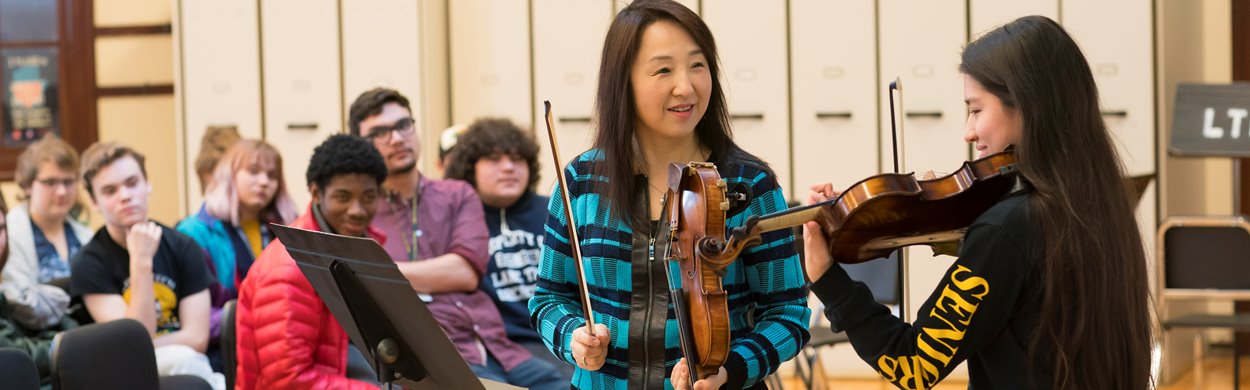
[[756, 77]]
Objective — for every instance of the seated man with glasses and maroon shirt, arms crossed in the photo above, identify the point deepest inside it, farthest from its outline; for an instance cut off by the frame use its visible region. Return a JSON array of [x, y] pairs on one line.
[[442, 246]]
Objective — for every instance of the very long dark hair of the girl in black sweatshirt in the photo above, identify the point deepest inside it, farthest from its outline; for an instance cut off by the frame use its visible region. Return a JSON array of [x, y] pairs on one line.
[[1094, 322]]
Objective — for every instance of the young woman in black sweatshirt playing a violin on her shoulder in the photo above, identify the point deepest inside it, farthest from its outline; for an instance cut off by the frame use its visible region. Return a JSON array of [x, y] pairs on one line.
[[1049, 291]]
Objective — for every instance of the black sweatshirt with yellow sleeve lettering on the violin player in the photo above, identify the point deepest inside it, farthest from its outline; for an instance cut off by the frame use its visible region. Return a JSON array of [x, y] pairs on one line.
[[982, 312]]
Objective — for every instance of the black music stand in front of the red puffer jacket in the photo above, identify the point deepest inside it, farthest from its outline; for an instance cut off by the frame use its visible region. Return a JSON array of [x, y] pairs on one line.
[[363, 288]]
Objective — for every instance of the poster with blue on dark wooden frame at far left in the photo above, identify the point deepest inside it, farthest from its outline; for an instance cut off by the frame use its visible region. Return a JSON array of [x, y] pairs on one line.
[[31, 94]]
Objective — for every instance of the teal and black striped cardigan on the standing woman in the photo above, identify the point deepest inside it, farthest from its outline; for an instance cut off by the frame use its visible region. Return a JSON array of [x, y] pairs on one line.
[[768, 294]]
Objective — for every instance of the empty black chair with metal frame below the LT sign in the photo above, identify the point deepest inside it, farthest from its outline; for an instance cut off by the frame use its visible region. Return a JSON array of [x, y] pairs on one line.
[[1204, 259]]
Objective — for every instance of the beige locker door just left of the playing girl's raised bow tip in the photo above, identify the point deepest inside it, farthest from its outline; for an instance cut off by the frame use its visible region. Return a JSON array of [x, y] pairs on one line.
[[834, 89]]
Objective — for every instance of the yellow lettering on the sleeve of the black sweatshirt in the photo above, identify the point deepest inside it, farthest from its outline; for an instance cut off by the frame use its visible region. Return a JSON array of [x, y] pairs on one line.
[[938, 346]]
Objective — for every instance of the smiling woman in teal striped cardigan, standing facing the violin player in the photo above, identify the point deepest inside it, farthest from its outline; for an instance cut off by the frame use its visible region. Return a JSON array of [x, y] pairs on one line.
[[661, 102]]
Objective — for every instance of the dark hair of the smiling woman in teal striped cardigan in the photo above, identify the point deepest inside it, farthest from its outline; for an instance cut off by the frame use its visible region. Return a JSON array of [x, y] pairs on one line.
[[616, 111]]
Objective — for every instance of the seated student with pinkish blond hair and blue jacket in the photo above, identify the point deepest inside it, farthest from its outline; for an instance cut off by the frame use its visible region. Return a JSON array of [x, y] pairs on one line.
[[246, 194]]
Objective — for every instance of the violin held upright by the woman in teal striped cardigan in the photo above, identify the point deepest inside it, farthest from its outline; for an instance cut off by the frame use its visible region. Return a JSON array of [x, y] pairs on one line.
[[692, 238]]
